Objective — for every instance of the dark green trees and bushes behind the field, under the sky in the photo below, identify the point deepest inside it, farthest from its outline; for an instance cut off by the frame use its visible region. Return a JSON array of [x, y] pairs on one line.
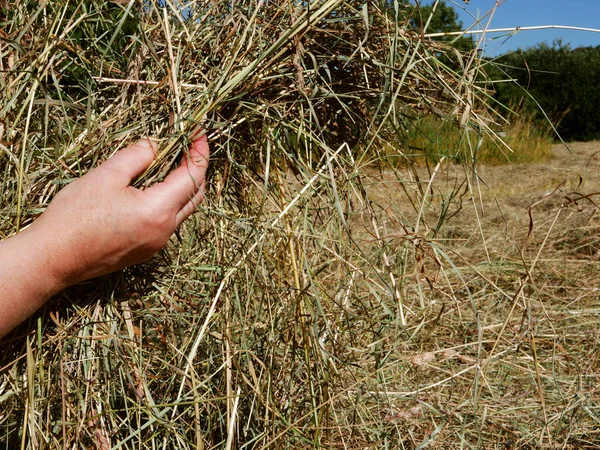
[[548, 81]]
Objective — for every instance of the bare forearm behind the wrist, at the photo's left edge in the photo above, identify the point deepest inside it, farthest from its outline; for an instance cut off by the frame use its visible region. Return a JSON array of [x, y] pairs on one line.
[[27, 278]]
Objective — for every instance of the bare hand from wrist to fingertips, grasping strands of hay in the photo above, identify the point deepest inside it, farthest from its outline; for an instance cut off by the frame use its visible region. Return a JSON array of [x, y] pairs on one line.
[[100, 223]]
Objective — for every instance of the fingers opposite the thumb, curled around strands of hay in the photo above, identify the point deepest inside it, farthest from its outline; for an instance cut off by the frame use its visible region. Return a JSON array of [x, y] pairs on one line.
[[183, 188]]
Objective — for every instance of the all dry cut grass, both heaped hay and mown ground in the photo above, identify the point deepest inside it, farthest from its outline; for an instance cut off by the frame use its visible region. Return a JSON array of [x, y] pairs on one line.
[[323, 297]]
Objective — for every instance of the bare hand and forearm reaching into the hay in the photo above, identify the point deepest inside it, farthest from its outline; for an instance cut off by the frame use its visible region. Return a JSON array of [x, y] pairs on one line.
[[96, 225]]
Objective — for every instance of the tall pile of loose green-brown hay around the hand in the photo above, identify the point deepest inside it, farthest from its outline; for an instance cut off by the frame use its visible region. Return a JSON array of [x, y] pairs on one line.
[[265, 323]]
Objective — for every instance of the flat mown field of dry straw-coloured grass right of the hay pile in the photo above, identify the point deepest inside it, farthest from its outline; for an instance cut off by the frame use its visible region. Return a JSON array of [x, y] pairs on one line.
[[502, 343]]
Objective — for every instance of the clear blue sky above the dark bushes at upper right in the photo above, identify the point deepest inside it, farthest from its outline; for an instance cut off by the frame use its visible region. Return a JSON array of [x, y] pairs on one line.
[[513, 13]]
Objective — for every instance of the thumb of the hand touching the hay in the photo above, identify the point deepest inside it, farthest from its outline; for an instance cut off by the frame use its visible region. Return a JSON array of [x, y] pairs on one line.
[[132, 161]]
